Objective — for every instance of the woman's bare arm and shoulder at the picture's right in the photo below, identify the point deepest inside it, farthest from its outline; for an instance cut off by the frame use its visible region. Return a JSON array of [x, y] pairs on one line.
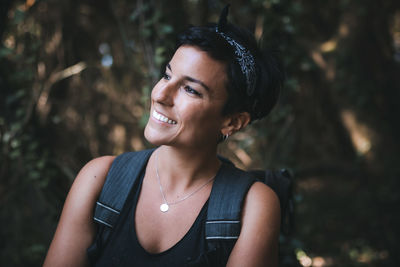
[[258, 241]]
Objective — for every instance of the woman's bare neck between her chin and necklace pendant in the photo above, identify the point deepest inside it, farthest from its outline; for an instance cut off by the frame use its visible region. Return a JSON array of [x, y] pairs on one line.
[[180, 169]]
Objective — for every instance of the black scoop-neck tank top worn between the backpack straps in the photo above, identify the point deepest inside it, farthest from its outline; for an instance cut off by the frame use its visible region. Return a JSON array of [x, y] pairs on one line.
[[124, 249]]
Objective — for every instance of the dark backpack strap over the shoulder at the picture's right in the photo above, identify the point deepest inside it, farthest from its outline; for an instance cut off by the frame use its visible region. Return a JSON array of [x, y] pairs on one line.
[[223, 225]]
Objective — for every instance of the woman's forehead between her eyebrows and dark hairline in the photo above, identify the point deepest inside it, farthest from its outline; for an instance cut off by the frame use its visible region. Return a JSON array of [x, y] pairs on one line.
[[191, 61]]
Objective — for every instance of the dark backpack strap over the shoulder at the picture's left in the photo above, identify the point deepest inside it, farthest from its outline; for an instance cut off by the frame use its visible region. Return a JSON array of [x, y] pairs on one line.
[[122, 175]]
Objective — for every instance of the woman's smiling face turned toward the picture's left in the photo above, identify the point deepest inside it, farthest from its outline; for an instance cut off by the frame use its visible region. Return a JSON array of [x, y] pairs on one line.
[[186, 104]]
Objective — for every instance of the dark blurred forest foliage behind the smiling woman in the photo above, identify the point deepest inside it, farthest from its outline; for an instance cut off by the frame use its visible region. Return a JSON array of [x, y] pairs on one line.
[[75, 80]]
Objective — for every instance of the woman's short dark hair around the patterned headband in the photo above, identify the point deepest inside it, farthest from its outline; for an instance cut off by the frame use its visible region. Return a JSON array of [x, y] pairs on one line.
[[270, 74]]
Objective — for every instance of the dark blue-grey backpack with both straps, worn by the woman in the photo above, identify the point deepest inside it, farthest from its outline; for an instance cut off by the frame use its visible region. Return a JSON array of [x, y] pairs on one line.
[[222, 226]]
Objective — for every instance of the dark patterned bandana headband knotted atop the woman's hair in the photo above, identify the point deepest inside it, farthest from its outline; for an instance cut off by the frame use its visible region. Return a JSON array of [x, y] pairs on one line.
[[243, 56]]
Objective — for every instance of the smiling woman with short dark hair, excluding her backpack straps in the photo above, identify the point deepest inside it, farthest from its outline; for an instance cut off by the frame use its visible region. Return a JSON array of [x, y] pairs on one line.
[[216, 83]]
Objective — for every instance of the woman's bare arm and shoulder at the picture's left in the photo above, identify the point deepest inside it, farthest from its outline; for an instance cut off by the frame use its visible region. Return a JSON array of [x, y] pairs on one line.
[[76, 230]]
